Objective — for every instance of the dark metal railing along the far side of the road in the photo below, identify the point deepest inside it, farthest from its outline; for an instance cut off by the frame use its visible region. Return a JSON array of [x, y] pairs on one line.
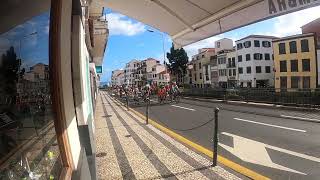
[[299, 97]]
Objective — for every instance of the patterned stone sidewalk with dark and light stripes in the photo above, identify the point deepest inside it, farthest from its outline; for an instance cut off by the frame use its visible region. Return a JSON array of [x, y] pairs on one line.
[[129, 149]]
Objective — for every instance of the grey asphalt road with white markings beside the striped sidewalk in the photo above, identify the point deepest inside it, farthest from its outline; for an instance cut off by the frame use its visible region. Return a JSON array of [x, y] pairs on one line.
[[260, 139]]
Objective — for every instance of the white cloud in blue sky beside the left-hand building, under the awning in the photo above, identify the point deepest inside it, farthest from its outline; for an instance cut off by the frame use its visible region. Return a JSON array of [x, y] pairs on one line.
[[120, 25]]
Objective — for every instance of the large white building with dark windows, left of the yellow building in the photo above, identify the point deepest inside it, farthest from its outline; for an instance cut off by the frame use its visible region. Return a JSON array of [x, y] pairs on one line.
[[255, 64]]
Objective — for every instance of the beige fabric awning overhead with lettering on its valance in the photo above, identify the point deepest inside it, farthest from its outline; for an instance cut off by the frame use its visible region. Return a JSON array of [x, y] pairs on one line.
[[188, 21]]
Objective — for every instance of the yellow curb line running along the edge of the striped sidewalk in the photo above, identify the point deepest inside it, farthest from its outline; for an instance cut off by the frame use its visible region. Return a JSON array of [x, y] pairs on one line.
[[226, 162]]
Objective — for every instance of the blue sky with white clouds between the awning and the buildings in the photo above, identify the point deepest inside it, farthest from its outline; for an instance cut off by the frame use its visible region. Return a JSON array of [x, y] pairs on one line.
[[129, 39]]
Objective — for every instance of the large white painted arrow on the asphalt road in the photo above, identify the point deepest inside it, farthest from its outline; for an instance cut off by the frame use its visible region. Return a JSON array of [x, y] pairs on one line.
[[255, 152]]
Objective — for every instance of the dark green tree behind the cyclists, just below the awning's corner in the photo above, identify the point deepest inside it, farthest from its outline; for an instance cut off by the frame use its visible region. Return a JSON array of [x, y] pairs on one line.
[[178, 60]]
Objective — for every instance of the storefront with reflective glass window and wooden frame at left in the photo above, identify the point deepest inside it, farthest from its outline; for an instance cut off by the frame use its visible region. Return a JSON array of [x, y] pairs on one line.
[[46, 125]]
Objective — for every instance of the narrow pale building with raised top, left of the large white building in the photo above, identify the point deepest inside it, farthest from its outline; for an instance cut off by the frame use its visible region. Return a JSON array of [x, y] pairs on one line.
[[223, 47]]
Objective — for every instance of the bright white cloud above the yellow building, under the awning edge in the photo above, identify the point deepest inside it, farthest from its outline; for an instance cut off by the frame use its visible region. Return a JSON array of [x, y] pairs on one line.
[[291, 24]]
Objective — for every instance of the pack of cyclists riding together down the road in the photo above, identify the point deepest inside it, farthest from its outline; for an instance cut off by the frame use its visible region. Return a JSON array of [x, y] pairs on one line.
[[164, 92]]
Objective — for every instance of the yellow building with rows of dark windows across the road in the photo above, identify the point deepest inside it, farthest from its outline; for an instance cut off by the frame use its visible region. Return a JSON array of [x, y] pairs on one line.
[[295, 62]]
